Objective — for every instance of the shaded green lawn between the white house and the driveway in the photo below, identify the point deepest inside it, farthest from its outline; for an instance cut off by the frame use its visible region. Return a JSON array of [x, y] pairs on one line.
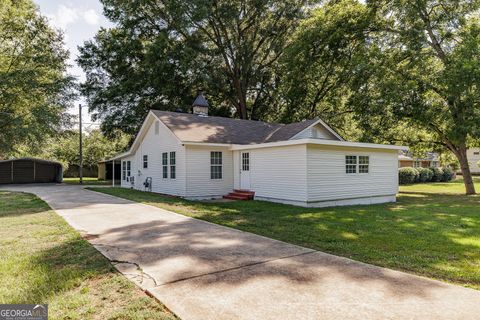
[[435, 234]]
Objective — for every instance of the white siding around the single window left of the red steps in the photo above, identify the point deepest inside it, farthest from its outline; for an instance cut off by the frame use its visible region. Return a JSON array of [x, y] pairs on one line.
[[198, 182]]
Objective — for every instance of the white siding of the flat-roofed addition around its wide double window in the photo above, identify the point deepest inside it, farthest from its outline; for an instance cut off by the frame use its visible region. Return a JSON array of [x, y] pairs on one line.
[[327, 179]]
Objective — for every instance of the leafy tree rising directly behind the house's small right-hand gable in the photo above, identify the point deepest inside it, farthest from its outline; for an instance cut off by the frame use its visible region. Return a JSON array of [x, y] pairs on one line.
[[321, 60]]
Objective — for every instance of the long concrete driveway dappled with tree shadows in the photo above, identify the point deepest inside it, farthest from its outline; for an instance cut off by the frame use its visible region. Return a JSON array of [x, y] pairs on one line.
[[204, 271]]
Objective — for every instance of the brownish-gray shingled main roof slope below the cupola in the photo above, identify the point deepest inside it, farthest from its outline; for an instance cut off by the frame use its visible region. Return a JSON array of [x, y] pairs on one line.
[[193, 128]]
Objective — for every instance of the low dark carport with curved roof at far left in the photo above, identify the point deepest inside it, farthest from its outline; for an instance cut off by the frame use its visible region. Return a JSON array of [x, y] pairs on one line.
[[30, 170]]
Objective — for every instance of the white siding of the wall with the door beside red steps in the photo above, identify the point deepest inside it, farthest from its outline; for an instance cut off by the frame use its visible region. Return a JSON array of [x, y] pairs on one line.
[[277, 172]]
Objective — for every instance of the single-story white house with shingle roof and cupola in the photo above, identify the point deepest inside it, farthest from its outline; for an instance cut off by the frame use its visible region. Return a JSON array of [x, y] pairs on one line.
[[197, 156]]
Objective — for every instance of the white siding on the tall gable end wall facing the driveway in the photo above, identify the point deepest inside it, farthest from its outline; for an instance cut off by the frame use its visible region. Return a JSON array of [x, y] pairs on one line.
[[153, 145]]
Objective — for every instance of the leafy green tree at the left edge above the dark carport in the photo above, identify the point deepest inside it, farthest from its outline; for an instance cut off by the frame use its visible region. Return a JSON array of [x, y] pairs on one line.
[[34, 88]]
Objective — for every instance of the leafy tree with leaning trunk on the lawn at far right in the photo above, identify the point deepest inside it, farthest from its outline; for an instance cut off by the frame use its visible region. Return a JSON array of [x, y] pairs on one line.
[[423, 72]]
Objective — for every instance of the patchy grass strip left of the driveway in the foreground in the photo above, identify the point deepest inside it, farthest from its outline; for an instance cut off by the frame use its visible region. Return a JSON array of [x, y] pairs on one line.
[[43, 260]]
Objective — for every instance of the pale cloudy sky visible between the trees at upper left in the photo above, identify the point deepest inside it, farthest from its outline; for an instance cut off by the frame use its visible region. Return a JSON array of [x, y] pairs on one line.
[[79, 21]]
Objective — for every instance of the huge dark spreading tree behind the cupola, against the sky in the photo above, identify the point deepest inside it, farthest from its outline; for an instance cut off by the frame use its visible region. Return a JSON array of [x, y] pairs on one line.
[[161, 51]]
